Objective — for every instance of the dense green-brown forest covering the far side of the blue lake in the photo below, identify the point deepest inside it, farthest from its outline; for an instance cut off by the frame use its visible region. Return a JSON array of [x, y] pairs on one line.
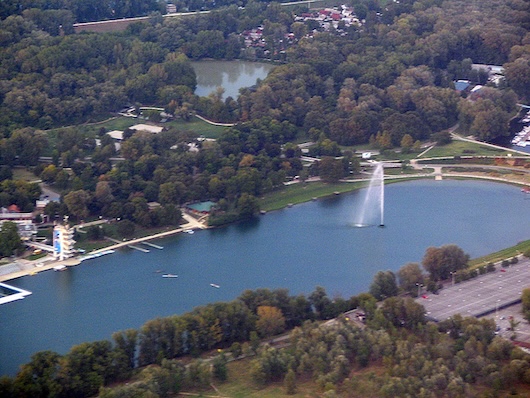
[[387, 81]]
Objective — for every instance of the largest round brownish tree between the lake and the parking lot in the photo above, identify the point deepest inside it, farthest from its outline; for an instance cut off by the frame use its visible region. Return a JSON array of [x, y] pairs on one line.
[[440, 262]]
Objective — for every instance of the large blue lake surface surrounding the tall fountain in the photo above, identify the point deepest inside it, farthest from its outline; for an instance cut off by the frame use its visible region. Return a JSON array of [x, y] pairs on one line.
[[298, 248]]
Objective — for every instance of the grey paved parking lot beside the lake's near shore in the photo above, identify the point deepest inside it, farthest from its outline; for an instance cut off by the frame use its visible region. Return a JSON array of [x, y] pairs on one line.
[[493, 295]]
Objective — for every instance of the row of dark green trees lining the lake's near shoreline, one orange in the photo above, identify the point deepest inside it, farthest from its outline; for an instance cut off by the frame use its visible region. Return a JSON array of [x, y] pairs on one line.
[[89, 366]]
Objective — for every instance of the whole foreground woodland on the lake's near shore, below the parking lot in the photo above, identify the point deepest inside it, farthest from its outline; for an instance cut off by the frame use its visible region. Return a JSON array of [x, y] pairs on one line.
[[459, 357]]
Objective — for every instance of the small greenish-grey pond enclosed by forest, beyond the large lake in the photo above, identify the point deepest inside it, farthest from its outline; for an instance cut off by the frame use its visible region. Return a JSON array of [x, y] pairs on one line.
[[231, 75]]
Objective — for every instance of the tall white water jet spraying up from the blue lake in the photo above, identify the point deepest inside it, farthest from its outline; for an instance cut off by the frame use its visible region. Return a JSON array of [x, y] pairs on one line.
[[373, 204]]
